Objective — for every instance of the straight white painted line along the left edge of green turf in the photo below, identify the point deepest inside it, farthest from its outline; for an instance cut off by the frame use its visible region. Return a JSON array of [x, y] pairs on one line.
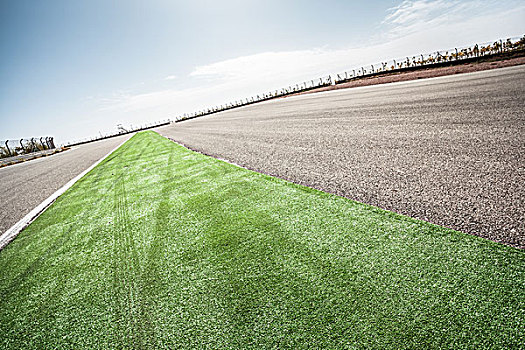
[[11, 233]]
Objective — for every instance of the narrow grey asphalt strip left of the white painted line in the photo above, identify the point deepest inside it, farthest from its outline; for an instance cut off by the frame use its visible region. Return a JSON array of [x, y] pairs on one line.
[[24, 186]]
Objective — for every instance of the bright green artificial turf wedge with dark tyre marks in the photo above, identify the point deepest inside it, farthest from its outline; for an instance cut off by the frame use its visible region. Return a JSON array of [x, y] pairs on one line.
[[162, 247]]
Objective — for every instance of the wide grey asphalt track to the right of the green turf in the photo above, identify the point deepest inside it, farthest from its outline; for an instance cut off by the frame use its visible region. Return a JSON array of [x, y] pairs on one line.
[[448, 150]]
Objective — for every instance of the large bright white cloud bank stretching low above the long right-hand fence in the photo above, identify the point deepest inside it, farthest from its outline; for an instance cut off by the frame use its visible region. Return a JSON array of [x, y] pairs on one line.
[[413, 27]]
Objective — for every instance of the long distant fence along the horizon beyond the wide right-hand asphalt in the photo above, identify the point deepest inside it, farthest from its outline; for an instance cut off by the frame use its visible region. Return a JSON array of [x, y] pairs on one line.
[[435, 59]]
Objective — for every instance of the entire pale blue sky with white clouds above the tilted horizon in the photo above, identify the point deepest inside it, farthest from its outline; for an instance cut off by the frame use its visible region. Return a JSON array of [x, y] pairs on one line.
[[74, 69]]
